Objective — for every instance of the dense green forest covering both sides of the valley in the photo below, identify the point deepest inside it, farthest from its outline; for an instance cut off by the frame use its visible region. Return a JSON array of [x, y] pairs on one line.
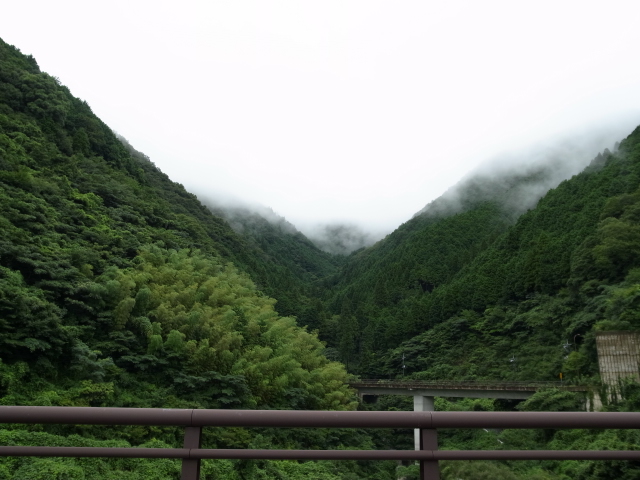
[[120, 288]]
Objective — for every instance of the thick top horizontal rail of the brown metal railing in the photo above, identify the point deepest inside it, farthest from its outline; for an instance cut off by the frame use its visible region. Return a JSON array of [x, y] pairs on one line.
[[312, 418]]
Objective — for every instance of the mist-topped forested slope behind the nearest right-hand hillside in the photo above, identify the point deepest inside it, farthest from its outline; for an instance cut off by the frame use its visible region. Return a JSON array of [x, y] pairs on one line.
[[388, 287]]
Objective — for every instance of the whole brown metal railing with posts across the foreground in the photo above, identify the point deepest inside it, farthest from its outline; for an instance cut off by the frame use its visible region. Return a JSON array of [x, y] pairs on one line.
[[428, 422]]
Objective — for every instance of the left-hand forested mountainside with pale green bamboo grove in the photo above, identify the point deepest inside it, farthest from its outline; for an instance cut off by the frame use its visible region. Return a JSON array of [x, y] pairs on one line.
[[119, 288]]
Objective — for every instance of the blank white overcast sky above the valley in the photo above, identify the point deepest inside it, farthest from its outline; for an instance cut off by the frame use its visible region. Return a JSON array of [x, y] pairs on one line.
[[342, 110]]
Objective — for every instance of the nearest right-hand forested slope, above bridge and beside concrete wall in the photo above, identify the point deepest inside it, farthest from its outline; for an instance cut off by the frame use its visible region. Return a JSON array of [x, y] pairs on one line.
[[566, 268]]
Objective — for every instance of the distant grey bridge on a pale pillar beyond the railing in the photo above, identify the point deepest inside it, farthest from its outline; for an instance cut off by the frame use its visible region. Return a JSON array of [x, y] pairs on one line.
[[424, 391]]
